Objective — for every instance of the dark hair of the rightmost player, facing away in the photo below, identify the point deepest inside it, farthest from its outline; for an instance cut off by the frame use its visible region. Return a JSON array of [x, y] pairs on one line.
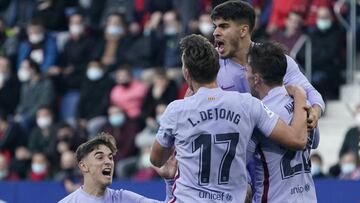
[[268, 59]]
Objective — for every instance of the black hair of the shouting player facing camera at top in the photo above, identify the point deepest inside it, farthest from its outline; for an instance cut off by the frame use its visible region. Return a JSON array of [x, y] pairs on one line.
[[235, 10]]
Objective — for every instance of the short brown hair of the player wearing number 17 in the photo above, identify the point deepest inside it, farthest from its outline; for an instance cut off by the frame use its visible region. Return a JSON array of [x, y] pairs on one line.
[[200, 57]]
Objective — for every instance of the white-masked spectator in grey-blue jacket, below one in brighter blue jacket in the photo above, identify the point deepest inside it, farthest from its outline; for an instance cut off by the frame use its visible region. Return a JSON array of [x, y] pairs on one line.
[[36, 91]]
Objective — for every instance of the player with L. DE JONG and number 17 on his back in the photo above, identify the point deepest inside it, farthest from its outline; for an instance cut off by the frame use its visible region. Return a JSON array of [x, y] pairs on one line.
[[211, 129]]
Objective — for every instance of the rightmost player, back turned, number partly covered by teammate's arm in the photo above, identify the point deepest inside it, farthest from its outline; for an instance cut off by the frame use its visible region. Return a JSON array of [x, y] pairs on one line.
[[281, 175]]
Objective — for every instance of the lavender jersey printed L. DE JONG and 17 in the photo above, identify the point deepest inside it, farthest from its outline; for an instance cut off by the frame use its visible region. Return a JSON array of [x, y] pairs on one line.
[[210, 131]]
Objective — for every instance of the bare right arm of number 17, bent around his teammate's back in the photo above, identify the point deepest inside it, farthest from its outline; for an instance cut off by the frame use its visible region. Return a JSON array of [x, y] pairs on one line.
[[293, 136]]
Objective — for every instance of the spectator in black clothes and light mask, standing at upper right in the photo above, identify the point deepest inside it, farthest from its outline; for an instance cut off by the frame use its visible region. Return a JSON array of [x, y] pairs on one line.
[[328, 54]]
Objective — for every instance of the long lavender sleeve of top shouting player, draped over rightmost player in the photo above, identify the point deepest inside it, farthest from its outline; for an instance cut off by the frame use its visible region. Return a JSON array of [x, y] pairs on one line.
[[296, 77]]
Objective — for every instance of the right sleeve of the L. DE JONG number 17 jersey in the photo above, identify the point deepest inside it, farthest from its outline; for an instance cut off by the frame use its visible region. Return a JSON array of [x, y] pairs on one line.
[[265, 119]]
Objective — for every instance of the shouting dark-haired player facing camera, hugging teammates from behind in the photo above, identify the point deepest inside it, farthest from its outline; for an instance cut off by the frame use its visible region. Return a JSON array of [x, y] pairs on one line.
[[234, 22]]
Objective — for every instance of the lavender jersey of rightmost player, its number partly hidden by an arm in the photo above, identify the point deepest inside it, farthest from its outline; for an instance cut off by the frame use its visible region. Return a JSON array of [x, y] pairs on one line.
[[281, 175]]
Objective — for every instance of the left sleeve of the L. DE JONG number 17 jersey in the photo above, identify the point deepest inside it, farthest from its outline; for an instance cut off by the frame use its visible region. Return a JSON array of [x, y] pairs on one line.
[[165, 135]]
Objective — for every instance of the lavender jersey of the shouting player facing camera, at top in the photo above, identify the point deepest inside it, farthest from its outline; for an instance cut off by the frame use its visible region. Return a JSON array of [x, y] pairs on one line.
[[232, 77]]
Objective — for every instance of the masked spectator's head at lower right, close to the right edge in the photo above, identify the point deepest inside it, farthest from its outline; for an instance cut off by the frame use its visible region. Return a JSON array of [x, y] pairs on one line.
[[348, 167]]
